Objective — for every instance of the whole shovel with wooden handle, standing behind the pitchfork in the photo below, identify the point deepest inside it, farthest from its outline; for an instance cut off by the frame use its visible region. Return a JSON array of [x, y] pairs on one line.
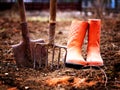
[[24, 51]]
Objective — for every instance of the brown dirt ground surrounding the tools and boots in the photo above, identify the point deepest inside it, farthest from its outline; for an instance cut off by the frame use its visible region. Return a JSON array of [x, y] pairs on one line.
[[14, 78]]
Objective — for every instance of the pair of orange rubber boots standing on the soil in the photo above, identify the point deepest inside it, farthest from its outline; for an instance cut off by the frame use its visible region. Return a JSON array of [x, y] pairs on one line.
[[74, 45]]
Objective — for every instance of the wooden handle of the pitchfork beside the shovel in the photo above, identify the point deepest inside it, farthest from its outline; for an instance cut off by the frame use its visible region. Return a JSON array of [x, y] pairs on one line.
[[52, 21]]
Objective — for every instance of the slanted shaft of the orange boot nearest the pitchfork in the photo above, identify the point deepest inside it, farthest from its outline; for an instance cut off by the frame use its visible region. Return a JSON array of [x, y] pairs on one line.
[[77, 33]]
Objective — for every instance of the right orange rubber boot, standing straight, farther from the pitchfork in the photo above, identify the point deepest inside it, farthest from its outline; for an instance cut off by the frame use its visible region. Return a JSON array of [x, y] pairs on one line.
[[93, 48]]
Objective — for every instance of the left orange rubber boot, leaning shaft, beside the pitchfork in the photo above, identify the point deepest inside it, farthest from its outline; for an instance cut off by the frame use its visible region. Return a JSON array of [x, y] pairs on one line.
[[74, 57]]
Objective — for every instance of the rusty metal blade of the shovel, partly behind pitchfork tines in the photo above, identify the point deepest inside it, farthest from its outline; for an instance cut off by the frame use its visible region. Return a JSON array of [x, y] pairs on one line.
[[20, 58]]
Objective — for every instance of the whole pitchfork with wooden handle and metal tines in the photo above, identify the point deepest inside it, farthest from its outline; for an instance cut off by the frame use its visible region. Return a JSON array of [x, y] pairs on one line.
[[51, 46]]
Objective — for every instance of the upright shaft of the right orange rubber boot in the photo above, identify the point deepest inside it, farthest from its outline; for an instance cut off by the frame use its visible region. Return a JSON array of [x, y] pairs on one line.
[[94, 35]]
